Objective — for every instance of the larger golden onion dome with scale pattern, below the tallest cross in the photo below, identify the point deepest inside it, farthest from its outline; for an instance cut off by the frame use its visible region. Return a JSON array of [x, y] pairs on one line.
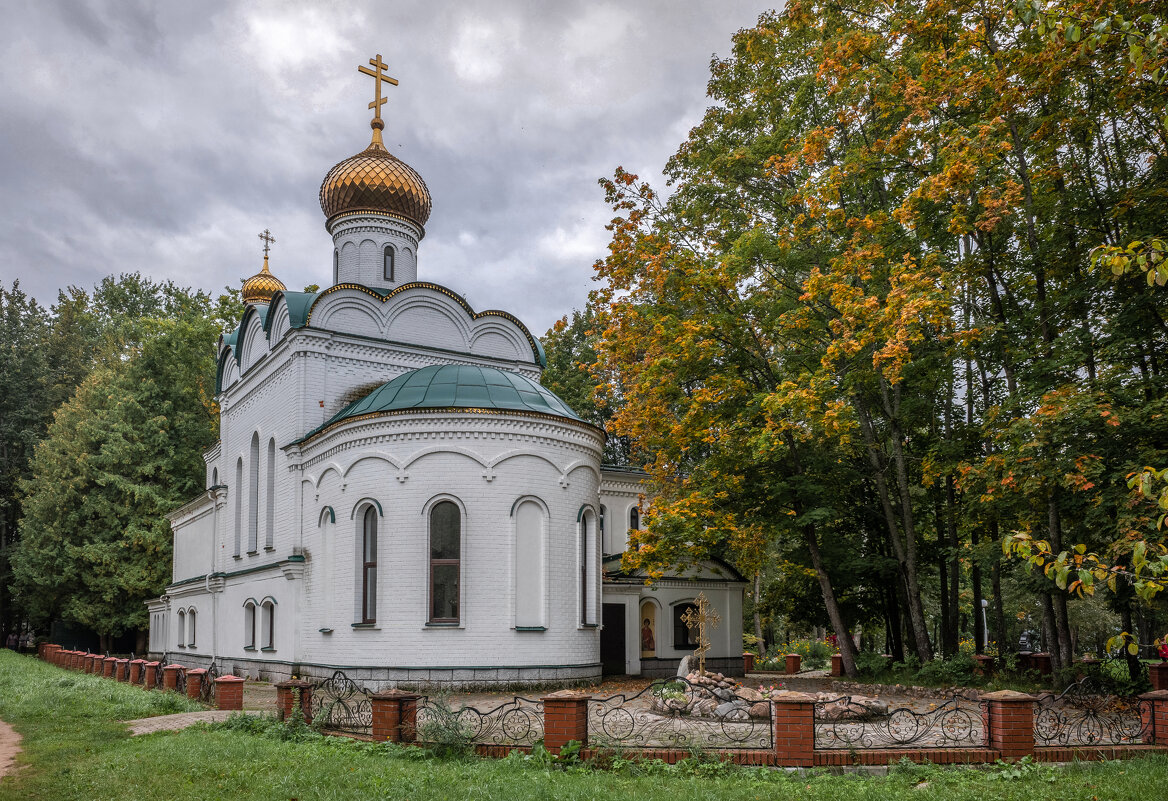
[[374, 180]]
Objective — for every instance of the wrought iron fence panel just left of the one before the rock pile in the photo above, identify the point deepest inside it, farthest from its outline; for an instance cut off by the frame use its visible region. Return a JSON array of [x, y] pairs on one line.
[[517, 722]]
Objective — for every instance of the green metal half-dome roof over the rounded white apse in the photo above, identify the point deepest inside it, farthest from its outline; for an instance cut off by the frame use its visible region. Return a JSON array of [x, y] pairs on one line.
[[456, 387]]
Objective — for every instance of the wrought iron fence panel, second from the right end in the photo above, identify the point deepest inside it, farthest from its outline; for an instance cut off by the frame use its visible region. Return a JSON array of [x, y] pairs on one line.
[[846, 723]]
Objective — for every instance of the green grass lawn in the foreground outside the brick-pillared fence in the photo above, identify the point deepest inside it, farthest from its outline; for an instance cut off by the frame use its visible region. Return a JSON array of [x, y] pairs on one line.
[[77, 749]]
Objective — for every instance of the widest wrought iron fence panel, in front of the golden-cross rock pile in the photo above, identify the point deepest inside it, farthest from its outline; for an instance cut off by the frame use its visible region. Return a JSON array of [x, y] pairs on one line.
[[679, 714]]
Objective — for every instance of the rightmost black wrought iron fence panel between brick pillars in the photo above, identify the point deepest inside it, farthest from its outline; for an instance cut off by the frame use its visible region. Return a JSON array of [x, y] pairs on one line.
[[1084, 715]]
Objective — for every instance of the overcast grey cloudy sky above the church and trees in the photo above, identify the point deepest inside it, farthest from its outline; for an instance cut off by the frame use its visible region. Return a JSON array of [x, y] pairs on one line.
[[163, 137]]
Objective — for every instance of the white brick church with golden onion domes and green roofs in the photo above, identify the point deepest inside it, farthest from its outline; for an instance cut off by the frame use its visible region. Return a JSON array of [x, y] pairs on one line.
[[395, 496]]
